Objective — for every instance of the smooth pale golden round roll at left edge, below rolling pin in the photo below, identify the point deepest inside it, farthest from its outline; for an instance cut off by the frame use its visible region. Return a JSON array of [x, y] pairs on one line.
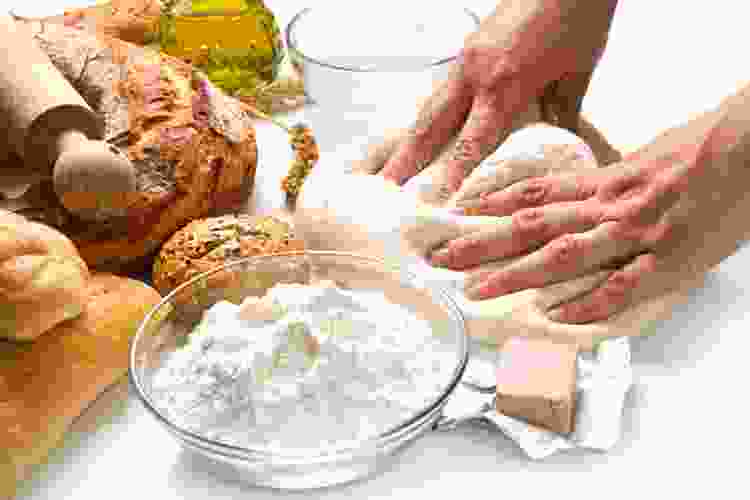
[[42, 278]]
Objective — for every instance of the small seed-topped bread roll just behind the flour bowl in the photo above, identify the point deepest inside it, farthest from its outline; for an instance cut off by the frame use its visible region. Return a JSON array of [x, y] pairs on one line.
[[206, 244]]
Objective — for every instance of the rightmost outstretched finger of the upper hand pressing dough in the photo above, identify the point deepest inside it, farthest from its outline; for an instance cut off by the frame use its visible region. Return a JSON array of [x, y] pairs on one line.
[[487, 125]]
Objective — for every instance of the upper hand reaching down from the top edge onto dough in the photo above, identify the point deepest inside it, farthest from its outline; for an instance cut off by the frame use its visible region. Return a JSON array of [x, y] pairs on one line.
[[524, 51]]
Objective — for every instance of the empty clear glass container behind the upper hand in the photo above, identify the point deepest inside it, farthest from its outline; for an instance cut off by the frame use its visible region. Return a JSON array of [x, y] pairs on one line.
[[367, 67]]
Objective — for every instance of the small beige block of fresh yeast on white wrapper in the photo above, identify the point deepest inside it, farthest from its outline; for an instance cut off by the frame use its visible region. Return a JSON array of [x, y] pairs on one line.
[[536, 382]]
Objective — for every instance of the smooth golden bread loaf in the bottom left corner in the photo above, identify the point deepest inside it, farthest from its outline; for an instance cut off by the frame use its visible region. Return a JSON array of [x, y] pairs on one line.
[[46, 384]]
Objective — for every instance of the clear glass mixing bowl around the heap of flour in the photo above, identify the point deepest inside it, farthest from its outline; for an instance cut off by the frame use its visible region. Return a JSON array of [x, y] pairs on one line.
[[165, 327]]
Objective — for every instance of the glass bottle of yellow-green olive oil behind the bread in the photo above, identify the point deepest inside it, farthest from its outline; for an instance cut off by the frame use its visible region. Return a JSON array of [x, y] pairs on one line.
[[236, 43]]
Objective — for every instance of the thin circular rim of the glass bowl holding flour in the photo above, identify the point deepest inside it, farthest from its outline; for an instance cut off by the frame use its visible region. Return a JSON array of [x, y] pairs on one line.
[[393, 434]]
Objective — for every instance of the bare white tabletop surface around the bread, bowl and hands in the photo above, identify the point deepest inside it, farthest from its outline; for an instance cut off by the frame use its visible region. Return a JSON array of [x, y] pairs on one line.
[[684, 419]]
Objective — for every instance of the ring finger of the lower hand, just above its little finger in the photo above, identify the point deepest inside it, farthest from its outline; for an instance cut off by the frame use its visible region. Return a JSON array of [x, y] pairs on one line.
[[567, 257]]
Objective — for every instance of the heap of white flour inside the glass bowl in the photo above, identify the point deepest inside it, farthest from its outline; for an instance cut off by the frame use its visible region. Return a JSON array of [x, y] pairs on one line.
[[325, 366]]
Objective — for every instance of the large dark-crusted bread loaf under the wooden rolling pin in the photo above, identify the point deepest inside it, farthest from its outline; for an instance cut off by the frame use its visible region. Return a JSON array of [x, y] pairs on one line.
[[193, 148]]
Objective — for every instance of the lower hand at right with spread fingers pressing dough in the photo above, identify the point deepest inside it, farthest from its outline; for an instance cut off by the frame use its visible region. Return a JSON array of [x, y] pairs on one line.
[[649, 222]]
